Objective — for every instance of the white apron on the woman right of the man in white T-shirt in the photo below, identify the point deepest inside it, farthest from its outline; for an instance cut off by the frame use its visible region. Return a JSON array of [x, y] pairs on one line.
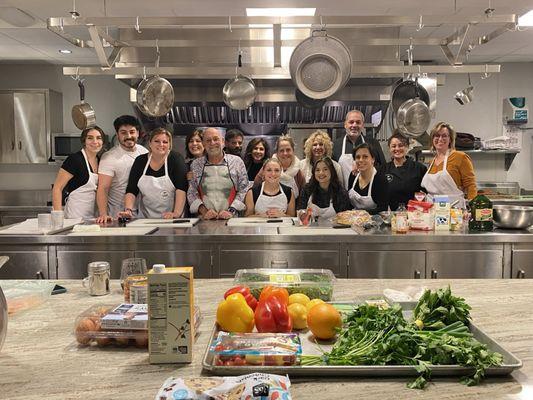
[[157, 195]]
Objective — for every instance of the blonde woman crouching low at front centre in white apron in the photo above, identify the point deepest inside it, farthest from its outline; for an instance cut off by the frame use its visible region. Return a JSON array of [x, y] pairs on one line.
[[271, 198]]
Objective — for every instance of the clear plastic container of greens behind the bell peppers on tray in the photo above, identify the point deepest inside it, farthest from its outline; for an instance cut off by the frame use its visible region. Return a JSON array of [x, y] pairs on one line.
[[315, 283]]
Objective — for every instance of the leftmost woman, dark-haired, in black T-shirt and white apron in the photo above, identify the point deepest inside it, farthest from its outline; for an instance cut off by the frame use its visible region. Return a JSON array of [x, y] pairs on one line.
[[79, 174]]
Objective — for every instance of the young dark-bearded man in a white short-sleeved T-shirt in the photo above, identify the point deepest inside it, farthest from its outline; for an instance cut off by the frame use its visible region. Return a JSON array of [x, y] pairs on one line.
[[115, 166]]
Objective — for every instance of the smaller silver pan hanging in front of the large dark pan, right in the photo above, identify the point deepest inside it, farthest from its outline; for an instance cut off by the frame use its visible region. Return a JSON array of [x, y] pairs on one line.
[[413, 116]]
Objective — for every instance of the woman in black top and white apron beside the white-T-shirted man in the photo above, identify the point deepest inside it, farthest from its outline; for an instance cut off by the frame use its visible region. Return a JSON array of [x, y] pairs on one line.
[[158, 196]]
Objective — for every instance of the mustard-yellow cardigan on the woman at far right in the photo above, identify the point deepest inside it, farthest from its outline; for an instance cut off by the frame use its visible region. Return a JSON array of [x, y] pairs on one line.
[[461, 170]]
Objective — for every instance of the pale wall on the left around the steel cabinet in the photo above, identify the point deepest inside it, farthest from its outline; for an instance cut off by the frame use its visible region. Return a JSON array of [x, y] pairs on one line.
[[108, 97]]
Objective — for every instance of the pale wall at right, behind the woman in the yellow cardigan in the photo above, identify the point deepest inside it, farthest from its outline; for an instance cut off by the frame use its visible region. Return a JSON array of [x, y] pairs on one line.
[[483, 118]]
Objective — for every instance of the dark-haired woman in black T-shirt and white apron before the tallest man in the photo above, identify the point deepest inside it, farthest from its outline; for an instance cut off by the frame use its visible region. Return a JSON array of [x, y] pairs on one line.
[[368, 189]]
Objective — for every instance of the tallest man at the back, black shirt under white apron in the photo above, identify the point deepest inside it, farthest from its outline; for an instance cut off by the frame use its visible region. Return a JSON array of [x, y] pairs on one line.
[[354, 125]]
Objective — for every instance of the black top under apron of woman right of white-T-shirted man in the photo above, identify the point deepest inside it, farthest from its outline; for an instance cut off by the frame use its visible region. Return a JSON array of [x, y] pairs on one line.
[[177, 171]]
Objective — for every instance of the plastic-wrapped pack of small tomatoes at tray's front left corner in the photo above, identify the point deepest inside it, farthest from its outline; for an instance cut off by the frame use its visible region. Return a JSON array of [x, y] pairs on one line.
[[270, 349]]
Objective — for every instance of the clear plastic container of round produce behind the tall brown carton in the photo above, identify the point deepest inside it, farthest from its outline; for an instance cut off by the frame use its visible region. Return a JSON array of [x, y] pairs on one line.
[[88, 329]]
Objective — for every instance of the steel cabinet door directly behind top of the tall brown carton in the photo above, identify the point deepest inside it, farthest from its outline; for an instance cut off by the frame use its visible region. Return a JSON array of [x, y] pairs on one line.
[[199, 259]]
